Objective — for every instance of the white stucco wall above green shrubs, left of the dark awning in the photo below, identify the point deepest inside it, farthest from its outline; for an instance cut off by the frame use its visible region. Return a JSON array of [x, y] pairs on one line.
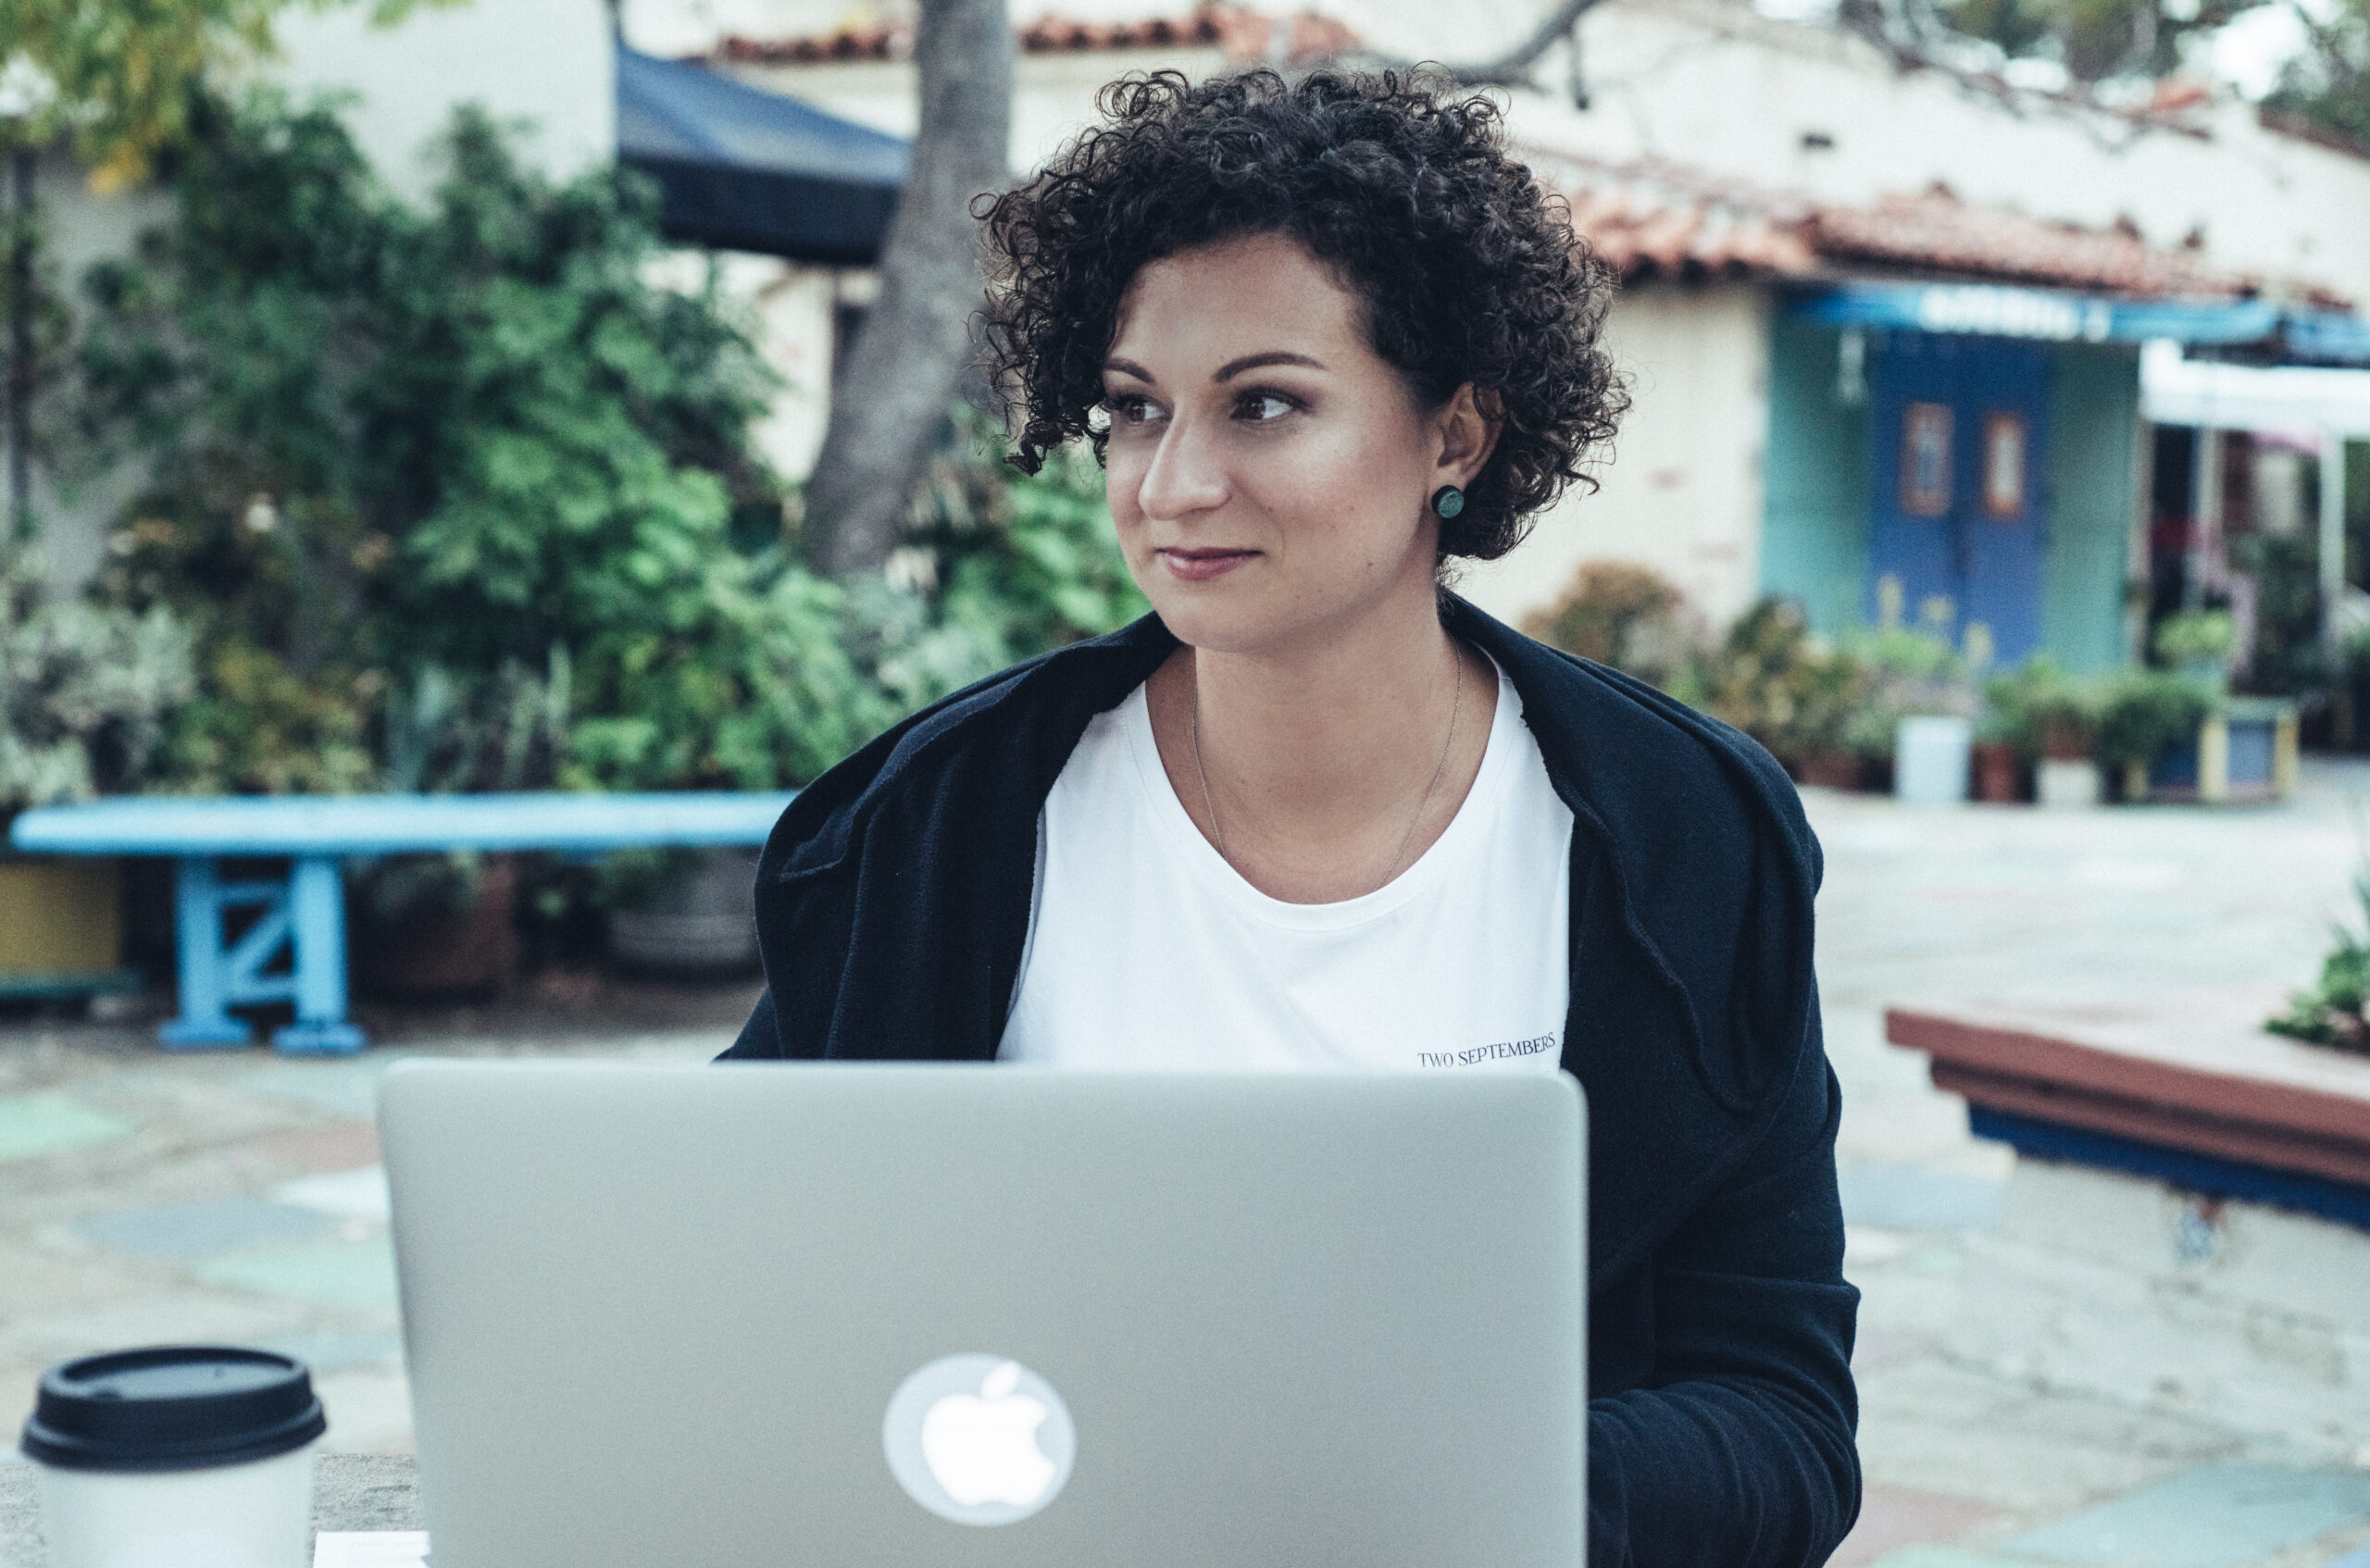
[[544, 63]]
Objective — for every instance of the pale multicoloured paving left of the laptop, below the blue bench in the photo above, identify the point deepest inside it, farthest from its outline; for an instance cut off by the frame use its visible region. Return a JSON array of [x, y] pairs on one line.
[[238, 1197]]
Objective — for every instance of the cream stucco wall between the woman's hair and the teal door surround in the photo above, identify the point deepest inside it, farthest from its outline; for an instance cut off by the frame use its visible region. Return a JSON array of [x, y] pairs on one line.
[[1682, 491]]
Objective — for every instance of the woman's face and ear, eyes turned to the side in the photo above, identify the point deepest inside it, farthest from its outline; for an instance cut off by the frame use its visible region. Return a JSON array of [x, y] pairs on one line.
[[1269, 473]]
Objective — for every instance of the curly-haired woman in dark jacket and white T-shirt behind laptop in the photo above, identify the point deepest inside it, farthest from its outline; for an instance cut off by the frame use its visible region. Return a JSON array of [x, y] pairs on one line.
[[1321, 814]]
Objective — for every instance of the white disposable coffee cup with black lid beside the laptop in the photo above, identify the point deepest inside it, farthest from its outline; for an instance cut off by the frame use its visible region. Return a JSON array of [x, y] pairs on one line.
[[177, 1458]]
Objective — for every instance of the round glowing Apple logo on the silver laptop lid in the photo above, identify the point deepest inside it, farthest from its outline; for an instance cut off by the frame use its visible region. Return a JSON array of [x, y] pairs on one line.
[[980, 1439]]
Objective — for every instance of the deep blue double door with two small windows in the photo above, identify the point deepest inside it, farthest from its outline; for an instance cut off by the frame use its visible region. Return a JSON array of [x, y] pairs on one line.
[[1959, 428]]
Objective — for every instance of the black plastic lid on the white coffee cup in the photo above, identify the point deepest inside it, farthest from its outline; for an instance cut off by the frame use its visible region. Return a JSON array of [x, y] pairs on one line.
[[172, 1408]]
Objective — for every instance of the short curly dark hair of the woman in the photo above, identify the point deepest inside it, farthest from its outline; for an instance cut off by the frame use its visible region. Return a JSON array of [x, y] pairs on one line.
[[1466, 266]]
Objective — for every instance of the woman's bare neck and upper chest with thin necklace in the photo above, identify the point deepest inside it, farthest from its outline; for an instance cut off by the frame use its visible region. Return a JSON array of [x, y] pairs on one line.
[[1309, 766]]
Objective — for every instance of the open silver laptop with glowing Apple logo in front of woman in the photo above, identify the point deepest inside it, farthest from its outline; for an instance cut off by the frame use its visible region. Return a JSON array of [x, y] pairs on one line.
[[978, 1316]]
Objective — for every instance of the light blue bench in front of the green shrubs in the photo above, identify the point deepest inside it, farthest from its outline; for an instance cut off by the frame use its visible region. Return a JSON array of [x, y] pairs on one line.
[[305, 915]]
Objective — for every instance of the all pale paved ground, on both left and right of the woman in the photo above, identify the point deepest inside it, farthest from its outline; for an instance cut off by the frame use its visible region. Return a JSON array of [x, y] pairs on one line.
[[2058, 1365]]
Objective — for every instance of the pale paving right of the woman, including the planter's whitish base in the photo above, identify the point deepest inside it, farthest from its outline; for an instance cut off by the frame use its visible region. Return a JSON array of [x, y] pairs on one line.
[[2065, 1365]]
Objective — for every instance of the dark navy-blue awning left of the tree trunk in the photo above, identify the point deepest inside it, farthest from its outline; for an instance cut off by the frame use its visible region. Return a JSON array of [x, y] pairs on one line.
[[757, 172]]
